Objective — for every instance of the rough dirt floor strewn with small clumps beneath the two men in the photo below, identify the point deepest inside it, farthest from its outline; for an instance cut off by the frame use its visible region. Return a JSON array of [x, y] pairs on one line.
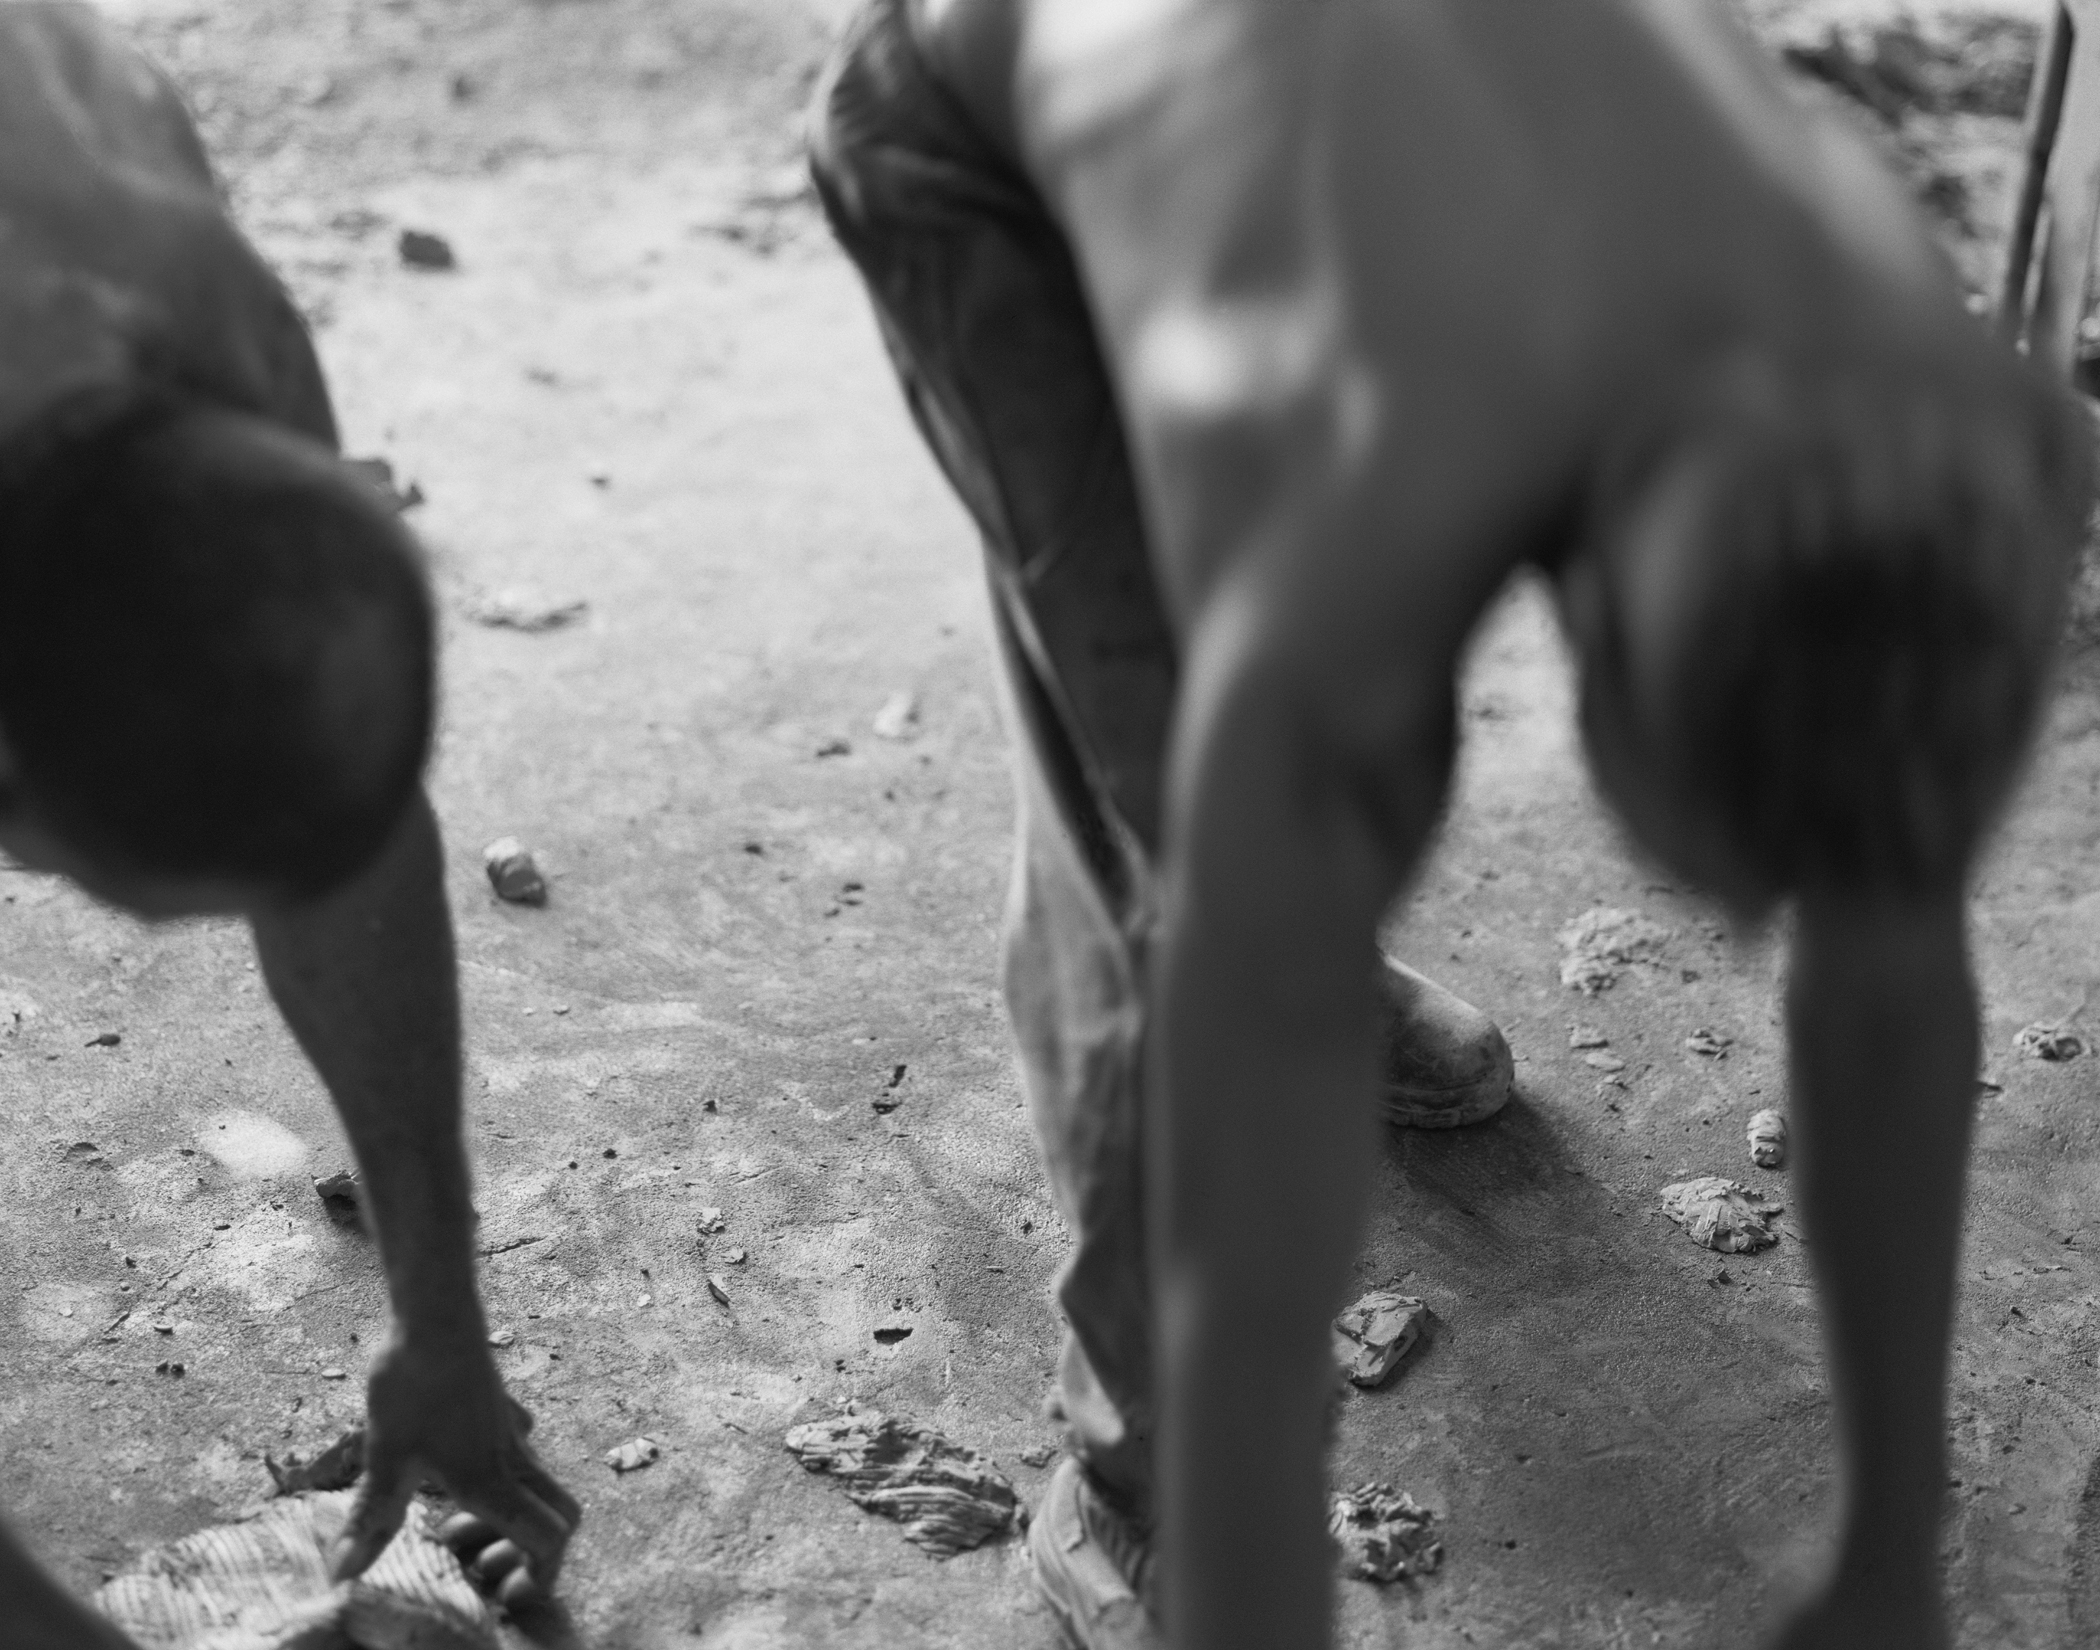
[[650, 385]]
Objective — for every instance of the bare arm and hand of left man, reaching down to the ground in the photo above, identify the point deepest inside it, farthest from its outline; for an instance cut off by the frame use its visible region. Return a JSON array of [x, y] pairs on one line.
[[366, 981]]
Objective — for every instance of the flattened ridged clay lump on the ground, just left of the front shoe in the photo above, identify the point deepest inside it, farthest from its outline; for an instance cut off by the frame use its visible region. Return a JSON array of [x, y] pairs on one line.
[[948, 1498]]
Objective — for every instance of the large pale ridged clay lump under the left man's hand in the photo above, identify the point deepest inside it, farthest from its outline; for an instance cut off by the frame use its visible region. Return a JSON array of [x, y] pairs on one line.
[[264, 1586]]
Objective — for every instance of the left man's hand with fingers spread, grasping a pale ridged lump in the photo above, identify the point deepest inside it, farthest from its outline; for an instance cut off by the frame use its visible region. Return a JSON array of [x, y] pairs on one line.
[[438, 1412]]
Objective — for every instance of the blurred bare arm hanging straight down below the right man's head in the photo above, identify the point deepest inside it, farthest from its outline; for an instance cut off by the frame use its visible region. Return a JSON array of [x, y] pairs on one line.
[[1885, 1074]]
